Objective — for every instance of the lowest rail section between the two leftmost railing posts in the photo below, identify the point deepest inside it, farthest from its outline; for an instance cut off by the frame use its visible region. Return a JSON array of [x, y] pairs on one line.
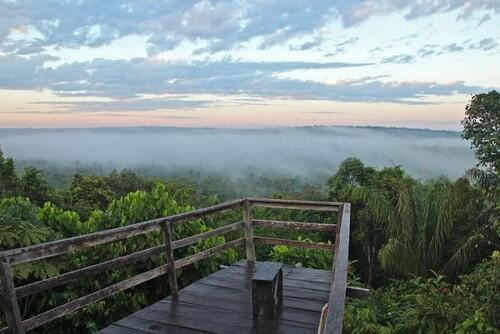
[[77, 304]]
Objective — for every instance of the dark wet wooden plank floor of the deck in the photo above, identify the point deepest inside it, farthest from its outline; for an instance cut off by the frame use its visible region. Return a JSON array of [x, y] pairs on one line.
[[220, 303]]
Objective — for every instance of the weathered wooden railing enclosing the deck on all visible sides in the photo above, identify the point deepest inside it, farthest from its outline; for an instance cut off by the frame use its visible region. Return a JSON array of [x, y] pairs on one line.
[[11, 293]]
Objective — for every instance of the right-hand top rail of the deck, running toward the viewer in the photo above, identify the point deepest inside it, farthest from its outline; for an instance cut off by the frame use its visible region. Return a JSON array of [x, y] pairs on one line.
[[336, 302]]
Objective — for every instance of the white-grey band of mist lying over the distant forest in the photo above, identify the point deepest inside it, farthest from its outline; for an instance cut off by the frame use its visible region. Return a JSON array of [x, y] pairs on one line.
[[302, 151]]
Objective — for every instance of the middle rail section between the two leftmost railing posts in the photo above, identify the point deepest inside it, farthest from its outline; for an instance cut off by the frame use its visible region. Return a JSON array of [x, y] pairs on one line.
[[36, 287]]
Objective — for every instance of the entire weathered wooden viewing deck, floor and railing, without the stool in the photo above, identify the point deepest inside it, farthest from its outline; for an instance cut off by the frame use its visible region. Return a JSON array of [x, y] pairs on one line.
[[219, 303]]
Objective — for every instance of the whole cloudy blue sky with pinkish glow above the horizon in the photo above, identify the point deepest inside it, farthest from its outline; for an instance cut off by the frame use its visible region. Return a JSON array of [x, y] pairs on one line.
[[244, 64]]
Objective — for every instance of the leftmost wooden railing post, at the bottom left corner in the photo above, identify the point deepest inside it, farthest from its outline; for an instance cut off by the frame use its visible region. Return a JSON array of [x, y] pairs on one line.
[[9, 300]]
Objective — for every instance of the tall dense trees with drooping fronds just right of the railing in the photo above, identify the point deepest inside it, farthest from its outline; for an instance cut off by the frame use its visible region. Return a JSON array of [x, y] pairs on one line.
[[402, 227]]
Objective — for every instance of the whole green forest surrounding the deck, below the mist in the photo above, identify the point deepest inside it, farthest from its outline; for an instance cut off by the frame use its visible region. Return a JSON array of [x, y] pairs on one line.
[[429, 250]]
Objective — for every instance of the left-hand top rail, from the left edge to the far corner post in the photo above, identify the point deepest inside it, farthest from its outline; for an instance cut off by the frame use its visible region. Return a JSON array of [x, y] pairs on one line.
[[49, 249]]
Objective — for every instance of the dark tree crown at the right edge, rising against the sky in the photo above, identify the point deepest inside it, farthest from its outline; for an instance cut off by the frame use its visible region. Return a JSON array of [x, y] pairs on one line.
[[482, 127]]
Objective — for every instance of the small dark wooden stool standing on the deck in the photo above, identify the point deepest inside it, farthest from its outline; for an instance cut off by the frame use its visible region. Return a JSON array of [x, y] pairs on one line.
[[267, 289]]
